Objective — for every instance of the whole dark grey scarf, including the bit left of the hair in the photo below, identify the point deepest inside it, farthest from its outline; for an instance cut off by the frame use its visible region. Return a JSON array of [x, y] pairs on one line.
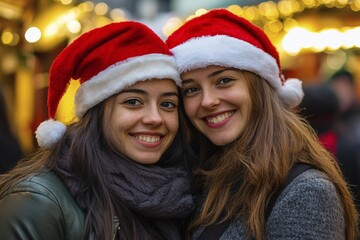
[[148, 190]]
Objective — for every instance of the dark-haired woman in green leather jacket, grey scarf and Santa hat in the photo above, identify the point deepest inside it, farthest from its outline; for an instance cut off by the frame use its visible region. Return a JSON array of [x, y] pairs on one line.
[[117, 172]]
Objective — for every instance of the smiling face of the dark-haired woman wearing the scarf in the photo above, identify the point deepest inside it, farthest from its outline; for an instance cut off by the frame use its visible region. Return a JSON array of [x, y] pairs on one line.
[[143, 121]]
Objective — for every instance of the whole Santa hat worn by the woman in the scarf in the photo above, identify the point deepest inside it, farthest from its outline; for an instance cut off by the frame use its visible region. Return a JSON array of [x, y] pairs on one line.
[[105, 61]]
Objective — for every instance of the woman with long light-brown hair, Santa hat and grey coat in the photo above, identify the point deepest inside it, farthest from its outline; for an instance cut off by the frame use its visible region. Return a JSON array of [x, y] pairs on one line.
[[249, 140]]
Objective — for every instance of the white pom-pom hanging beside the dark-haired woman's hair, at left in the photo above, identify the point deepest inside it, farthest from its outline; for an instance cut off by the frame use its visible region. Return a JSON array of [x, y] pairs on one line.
[[49, 133]]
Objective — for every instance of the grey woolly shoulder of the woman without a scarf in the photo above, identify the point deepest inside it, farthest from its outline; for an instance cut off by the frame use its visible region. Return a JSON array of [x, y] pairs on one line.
[[308, 207]]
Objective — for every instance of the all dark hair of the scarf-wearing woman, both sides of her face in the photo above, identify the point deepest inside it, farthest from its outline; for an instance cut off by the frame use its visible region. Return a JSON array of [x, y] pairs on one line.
[[86, 144]]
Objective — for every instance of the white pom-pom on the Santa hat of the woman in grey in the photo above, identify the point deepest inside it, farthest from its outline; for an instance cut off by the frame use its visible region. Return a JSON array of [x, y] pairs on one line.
[[291, 93]]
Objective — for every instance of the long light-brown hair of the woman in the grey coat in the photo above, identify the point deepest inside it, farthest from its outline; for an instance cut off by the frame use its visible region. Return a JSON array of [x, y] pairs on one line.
[[274, 139]]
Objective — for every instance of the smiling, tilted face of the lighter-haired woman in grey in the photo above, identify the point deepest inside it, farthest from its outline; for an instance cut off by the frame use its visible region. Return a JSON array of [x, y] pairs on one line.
[[217, 101]]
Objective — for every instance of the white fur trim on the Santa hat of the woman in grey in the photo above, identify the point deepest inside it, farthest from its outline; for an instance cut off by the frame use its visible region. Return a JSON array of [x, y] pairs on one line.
[[226, 51]]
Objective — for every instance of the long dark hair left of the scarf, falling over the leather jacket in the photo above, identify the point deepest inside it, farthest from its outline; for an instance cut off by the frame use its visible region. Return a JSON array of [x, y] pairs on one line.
[[83, 140]]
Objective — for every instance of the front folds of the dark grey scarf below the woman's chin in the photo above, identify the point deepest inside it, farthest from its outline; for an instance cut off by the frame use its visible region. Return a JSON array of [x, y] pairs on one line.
[[153, 191]]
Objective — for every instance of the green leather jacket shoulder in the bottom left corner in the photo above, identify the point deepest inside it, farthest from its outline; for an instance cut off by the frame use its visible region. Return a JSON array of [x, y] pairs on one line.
[[40, 207]]
